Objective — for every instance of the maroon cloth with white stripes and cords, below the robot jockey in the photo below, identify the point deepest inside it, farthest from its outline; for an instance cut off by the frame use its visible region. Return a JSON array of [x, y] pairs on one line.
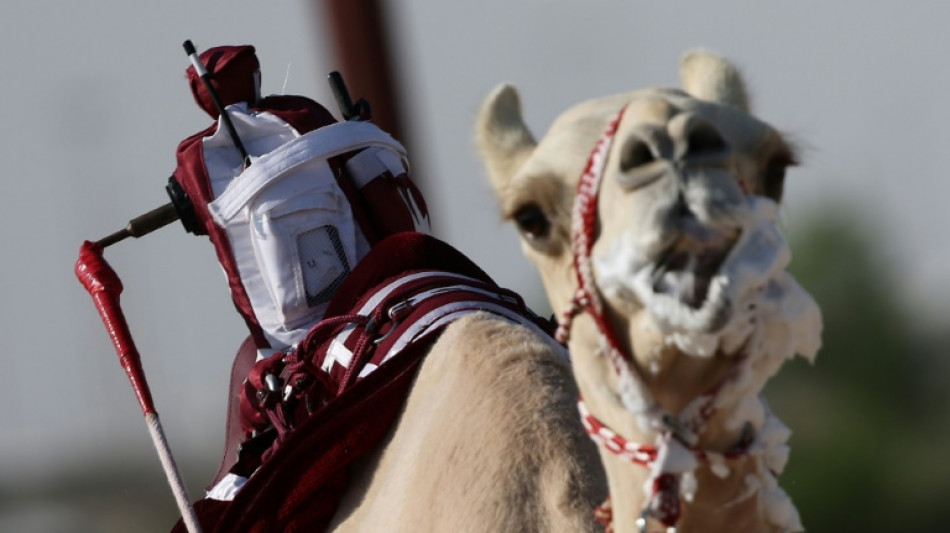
[[397, 311]]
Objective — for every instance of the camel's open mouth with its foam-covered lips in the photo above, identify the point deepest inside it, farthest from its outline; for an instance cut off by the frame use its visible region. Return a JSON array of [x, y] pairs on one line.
[[699, 283]]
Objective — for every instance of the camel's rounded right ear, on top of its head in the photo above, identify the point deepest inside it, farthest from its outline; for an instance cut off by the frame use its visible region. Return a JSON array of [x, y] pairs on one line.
[[708, 76]]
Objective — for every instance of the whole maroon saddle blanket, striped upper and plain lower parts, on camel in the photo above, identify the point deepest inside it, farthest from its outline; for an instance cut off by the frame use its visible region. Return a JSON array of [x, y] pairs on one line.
[[307, 414]]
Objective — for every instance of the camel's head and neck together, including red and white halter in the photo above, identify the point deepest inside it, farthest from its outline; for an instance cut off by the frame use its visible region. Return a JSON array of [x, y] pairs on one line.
[[651, 217]]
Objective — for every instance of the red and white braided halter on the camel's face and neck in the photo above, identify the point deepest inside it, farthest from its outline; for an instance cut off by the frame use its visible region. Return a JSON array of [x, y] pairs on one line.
[[664, 501]]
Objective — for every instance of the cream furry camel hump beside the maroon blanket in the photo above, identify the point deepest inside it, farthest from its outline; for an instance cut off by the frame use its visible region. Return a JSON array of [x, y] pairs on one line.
[[489, 442]]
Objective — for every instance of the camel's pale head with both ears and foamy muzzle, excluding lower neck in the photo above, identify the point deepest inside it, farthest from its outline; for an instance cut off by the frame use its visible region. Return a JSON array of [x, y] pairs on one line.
[[684, 252]]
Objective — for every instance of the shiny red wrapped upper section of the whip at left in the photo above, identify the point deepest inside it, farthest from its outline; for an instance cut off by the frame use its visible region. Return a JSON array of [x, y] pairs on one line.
[[104, 286]]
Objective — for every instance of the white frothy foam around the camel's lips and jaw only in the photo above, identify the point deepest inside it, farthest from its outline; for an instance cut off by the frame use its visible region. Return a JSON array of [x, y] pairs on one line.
[[750, 285]]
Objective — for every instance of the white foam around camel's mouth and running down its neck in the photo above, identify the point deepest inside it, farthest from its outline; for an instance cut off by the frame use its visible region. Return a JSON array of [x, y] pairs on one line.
[[752, 305]]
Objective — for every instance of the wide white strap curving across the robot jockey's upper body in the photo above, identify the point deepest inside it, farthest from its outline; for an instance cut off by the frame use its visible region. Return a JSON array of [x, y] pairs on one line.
[[322, 143]]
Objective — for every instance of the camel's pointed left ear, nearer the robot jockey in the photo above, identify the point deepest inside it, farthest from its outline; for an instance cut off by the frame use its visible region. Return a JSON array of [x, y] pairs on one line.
[[502, 137]]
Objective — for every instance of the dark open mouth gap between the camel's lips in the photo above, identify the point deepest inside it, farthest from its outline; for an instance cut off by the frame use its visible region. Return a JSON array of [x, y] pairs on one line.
[[686, 273]]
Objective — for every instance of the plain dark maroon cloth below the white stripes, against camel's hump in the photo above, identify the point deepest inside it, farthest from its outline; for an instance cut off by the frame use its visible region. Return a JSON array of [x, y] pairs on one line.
[[299, 488]]
